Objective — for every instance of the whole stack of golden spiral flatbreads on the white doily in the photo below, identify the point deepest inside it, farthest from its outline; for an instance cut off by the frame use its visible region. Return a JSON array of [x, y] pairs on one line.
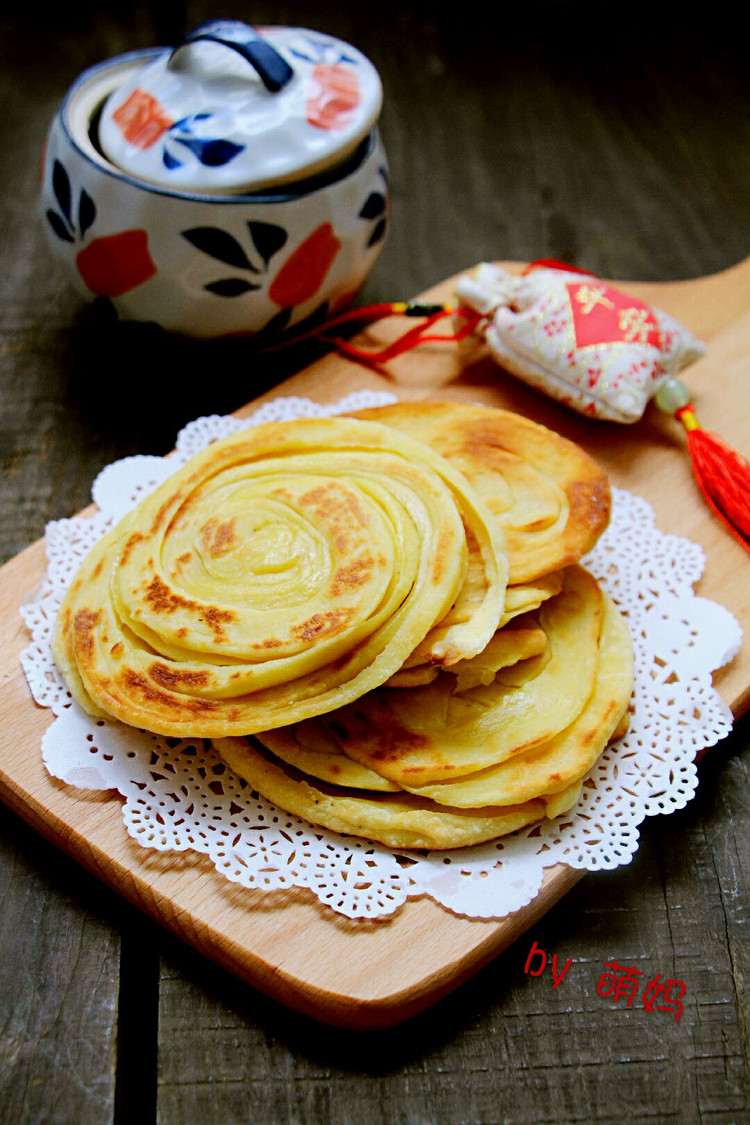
[[379, 619]]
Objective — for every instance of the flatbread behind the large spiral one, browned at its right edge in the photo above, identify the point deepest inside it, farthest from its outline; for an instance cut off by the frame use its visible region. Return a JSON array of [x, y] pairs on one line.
[[550, 498]]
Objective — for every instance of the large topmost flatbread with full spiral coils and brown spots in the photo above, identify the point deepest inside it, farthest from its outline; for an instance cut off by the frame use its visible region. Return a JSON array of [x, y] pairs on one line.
[[284, 572]]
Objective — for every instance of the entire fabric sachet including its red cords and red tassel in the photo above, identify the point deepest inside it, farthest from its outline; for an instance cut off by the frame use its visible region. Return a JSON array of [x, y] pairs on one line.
[[581, 341]]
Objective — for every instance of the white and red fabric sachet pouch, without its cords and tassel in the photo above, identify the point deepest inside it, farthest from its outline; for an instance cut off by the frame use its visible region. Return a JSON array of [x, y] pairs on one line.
[[579, 339]]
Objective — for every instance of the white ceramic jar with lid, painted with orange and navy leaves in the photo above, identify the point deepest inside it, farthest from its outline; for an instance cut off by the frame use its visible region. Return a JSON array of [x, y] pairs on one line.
[[194, 194]]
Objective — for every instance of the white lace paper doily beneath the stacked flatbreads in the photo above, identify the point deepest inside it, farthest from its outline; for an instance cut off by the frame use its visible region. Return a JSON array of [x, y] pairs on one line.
[[179, 796]]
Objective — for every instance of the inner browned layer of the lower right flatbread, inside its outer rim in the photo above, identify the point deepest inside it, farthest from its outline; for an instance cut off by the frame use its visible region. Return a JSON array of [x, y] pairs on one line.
[[433, 733]]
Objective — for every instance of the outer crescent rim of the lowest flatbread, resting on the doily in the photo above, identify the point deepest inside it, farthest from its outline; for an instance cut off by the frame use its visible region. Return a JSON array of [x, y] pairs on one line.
[[303, 770]]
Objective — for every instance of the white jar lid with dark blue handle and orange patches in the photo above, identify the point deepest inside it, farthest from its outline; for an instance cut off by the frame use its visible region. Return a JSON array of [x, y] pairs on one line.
[[237, 110]]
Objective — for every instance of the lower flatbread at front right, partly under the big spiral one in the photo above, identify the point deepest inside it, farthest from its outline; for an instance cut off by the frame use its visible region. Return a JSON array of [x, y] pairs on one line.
[[362, 771]]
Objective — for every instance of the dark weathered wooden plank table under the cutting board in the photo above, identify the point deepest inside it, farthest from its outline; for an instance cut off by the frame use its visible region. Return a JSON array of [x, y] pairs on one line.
[[516, 137]]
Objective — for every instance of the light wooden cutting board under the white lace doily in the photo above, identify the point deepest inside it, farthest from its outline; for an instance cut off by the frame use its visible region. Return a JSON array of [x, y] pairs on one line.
[[374, 975]]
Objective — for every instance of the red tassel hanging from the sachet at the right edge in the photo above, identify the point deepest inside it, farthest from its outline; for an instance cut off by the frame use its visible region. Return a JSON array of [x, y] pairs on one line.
[[722, 475]]
